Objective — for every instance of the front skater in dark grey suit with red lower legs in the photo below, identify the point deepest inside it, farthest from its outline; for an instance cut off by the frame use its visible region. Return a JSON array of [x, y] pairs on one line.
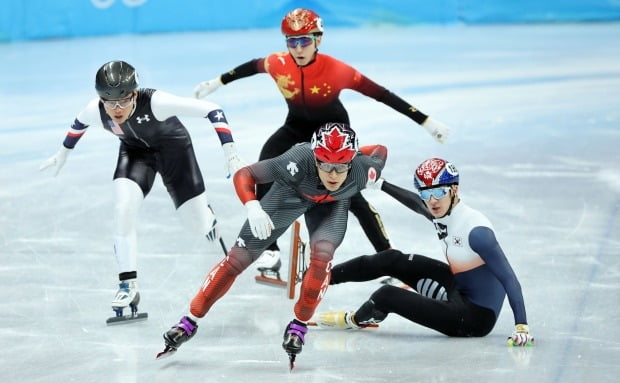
[[314, 179]]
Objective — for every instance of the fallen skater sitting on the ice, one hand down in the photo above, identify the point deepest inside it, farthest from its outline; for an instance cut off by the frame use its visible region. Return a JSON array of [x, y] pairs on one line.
[[460, 298]]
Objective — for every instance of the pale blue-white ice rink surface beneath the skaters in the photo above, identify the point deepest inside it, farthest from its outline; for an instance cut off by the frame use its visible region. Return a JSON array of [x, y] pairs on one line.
[[535, 118]]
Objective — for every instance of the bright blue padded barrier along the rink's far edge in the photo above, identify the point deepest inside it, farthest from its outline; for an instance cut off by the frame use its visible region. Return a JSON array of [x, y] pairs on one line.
[[41, 19]]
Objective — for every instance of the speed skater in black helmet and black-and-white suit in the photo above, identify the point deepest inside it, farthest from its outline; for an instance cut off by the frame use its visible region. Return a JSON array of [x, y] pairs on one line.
[[152, 140]]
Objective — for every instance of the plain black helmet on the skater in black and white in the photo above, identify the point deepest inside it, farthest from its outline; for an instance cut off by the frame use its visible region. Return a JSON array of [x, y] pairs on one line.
[[116, 80]]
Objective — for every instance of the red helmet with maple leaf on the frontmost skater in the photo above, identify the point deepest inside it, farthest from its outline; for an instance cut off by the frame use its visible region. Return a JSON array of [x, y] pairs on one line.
[[335, 143]]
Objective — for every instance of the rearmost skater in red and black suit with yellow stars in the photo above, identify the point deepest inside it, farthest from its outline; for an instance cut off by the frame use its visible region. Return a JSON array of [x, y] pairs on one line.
[[311, 83]]
